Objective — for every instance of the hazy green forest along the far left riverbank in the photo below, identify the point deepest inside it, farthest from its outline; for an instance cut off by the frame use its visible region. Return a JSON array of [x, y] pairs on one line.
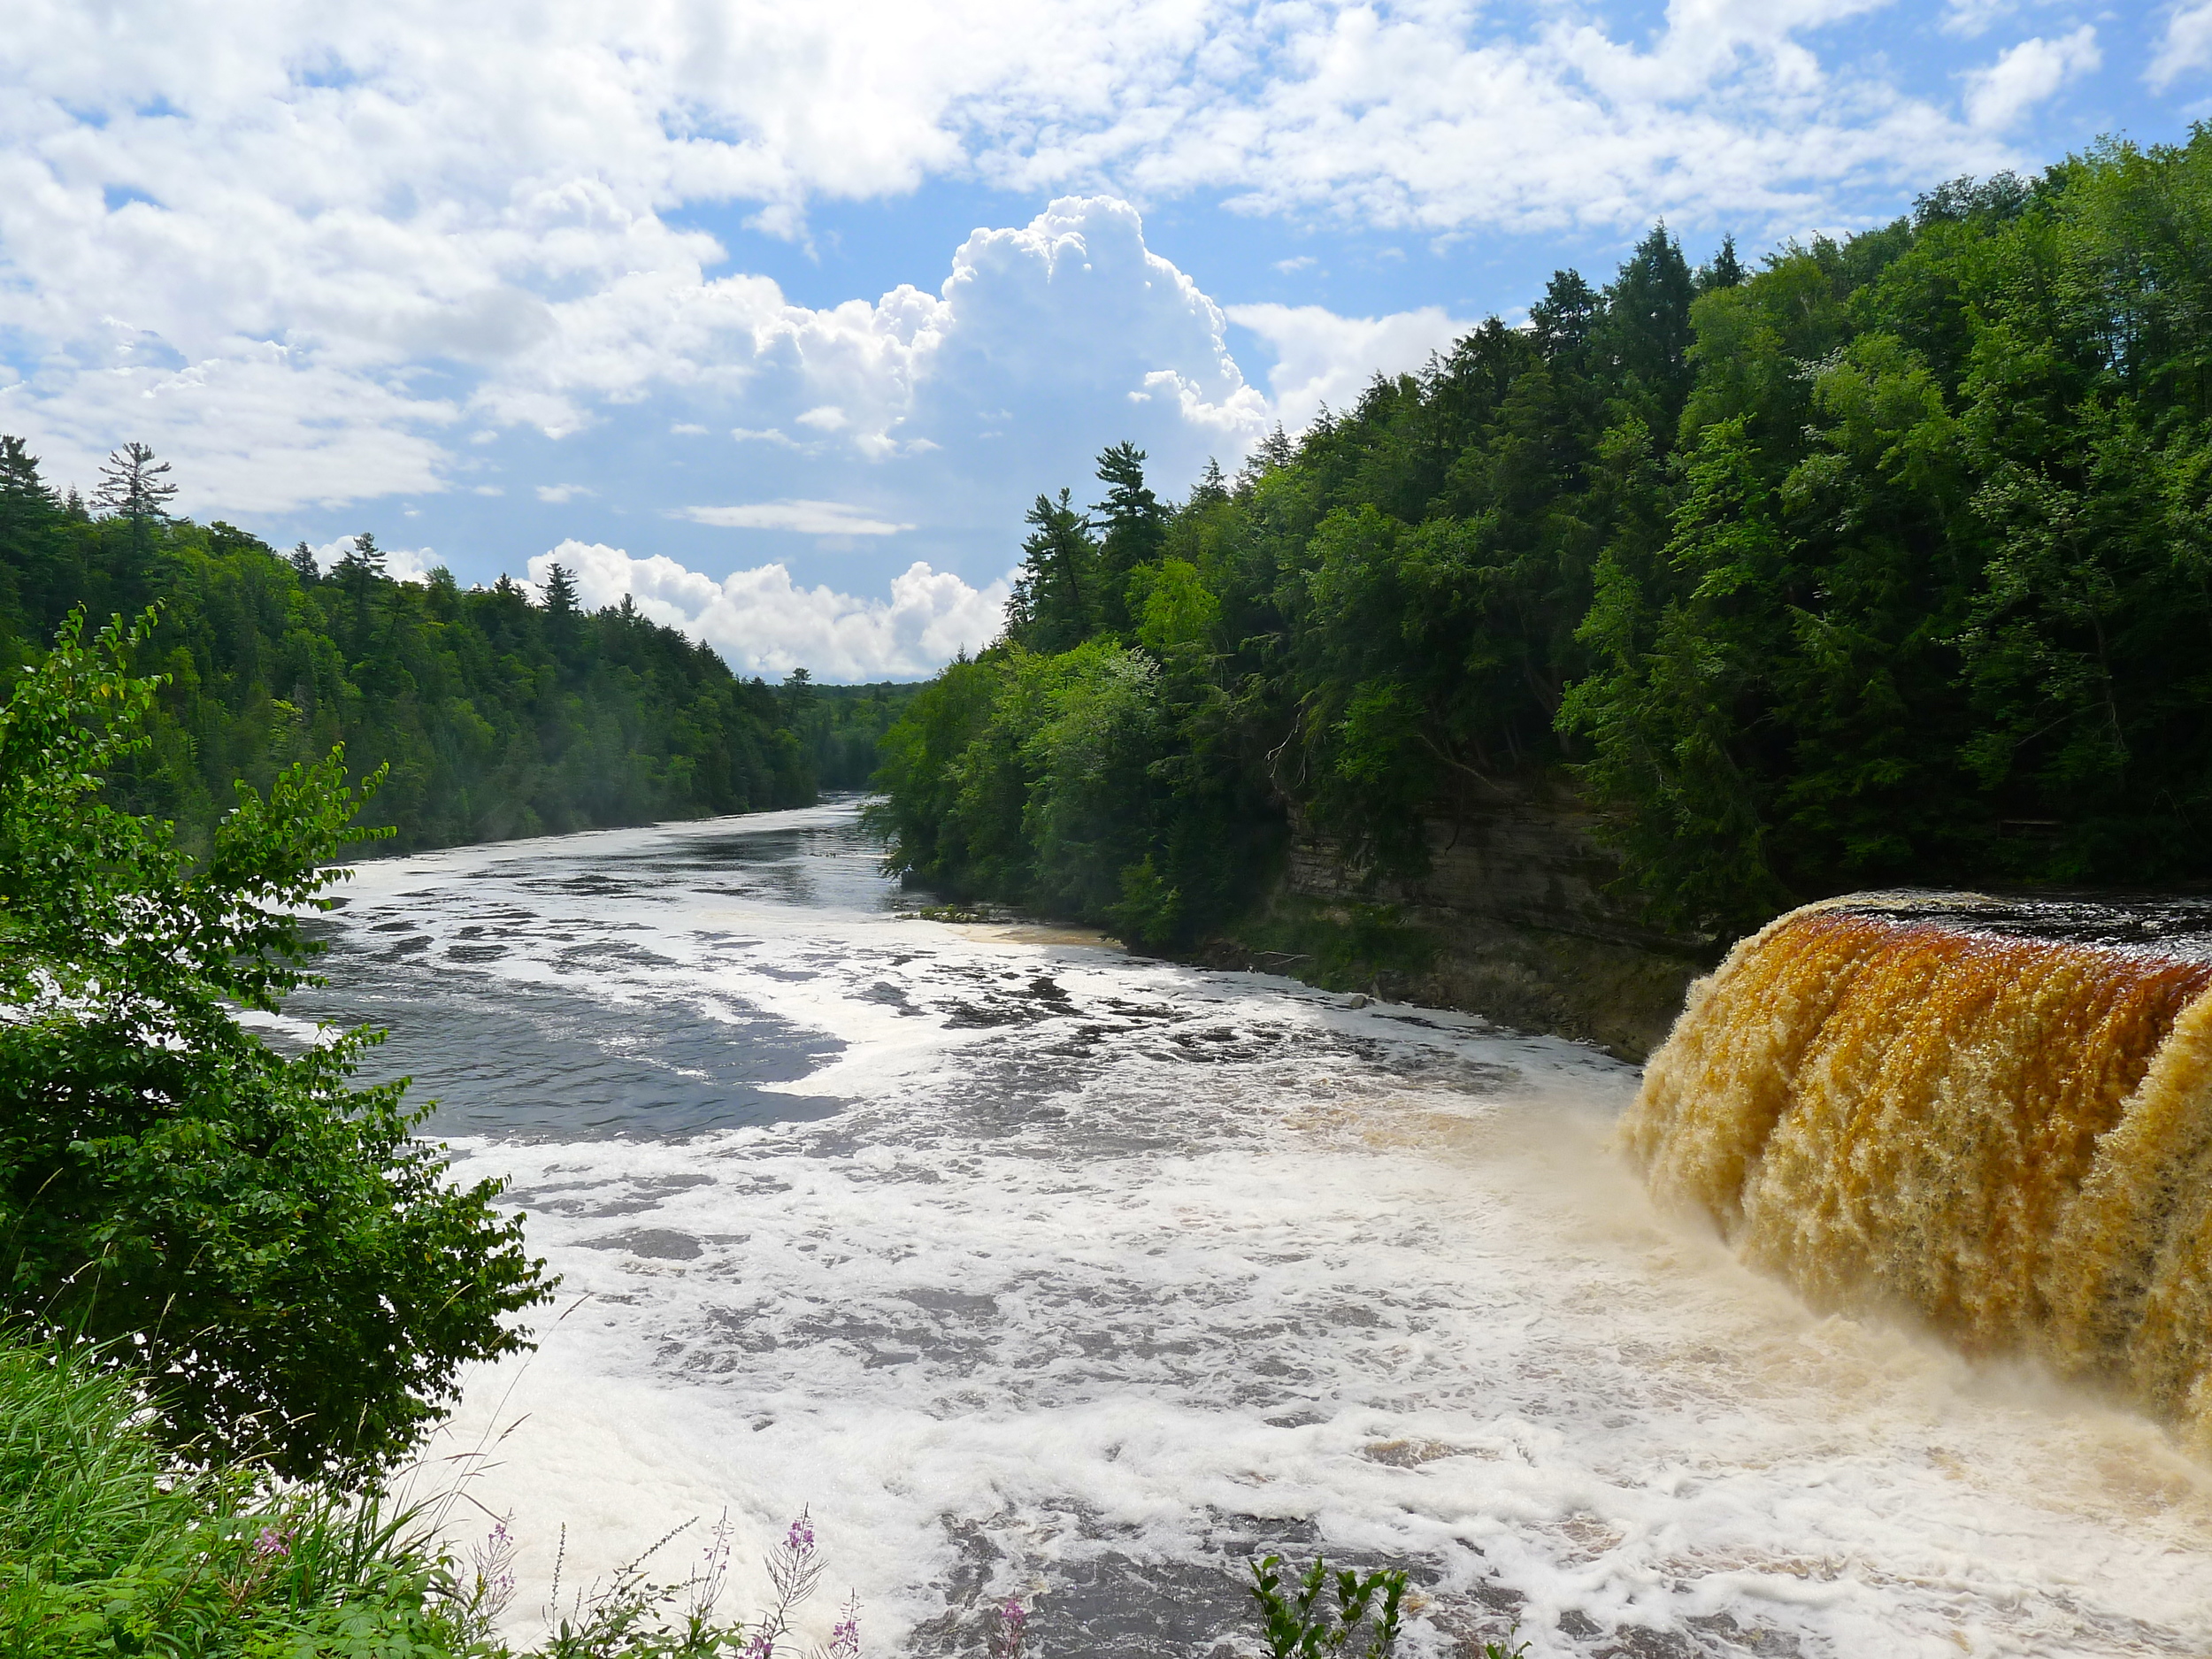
[[499, 716]]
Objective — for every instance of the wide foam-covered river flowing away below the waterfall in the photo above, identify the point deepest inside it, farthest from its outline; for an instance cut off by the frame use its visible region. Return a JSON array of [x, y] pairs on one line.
[[1036, 1269]]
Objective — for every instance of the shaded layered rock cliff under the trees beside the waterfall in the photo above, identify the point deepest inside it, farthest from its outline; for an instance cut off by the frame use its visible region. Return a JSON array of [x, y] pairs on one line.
[[1512, 921]]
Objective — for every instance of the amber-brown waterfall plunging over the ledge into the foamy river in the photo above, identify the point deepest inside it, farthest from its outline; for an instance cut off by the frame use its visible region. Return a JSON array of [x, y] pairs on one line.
[[1985, 1116]]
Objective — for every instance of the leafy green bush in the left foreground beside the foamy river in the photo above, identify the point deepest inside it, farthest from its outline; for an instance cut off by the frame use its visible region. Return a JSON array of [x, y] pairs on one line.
[[286, 1269]]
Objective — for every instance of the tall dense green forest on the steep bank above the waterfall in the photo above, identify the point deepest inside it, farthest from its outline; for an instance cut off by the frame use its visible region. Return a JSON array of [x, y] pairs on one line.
[[1881, 563]]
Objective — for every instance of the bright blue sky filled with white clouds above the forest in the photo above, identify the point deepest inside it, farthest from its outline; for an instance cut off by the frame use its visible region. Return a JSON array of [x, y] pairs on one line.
[[778, 315]]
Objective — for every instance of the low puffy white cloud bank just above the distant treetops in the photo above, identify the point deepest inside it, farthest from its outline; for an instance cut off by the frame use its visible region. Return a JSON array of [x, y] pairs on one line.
[[764, 625]]
